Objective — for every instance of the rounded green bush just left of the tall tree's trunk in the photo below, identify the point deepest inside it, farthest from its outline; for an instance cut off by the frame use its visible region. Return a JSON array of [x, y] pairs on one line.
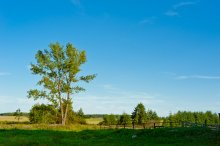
[[41, 113]]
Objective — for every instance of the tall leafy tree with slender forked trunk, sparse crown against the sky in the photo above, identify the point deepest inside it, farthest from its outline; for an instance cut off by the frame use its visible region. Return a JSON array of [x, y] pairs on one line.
[[58, 68]]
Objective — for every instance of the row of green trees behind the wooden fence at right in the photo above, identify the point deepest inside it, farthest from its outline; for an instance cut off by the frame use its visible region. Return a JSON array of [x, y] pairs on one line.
[[140, 116]]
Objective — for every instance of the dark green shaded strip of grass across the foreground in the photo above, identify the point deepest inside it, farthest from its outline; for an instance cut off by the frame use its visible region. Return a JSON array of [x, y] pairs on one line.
[[180, 136]]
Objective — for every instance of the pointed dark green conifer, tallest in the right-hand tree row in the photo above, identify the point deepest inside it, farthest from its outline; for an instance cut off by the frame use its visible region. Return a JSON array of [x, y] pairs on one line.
[[139, 114]]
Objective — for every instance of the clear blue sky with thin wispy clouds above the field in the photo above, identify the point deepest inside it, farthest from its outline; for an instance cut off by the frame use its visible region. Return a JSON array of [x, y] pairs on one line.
[[164, 54]]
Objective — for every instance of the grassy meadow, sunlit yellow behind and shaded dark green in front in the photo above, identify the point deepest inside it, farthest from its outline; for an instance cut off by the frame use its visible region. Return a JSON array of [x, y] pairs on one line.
[[21, 133]]
